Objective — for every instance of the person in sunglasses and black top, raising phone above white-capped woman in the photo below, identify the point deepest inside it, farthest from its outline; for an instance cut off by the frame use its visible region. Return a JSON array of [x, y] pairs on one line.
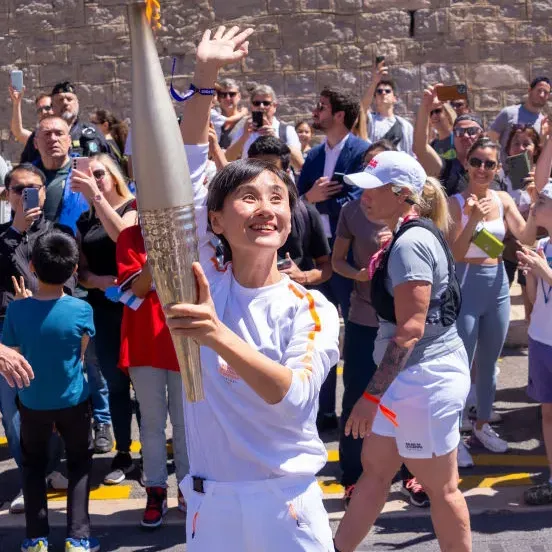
[[466, 130]]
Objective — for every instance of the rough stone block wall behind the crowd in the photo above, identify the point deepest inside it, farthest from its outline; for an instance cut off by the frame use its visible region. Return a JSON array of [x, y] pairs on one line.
[[496, 46]]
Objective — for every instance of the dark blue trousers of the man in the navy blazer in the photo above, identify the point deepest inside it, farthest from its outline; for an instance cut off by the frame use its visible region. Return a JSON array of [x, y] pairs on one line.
[[338, 291]]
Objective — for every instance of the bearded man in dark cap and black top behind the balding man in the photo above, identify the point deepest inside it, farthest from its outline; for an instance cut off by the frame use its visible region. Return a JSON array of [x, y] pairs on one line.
[[86, 139]]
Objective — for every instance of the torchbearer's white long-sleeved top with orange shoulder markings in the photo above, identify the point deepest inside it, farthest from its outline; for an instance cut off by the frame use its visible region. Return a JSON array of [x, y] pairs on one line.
[[234, 435]]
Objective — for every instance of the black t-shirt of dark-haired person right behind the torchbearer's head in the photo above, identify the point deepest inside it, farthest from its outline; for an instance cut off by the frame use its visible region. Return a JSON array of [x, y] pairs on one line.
[[307, 240]]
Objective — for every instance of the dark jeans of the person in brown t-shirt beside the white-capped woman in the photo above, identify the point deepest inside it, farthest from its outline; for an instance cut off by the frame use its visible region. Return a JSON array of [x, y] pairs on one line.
[[358, 370]]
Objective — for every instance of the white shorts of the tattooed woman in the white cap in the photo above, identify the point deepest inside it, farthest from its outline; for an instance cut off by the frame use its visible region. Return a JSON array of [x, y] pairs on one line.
[[427, 399]]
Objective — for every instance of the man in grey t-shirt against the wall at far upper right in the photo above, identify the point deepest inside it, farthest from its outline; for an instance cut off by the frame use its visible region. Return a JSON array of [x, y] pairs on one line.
[[528, 114]]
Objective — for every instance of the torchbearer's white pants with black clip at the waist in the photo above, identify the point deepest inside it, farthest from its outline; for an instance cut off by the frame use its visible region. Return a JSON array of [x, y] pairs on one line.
[[285, 514]]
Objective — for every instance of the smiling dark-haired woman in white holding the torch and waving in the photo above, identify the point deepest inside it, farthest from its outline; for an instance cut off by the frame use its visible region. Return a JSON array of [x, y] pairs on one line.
[[267, 345]]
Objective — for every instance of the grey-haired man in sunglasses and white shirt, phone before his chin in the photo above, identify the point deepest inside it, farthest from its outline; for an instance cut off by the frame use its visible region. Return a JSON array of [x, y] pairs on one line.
[[263, 100]]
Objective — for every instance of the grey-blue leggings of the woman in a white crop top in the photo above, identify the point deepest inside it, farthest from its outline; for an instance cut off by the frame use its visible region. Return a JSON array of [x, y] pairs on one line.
[[484, 319]]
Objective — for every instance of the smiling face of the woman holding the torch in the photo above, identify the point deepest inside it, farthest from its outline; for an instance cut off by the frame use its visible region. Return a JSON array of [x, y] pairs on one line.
[[256, 215]]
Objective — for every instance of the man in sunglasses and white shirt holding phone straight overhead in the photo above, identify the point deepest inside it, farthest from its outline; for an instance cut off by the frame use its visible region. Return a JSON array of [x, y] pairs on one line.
[[382, 122]]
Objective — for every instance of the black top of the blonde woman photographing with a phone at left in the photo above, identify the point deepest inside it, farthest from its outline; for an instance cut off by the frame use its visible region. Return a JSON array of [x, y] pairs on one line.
[[99, 250]]
